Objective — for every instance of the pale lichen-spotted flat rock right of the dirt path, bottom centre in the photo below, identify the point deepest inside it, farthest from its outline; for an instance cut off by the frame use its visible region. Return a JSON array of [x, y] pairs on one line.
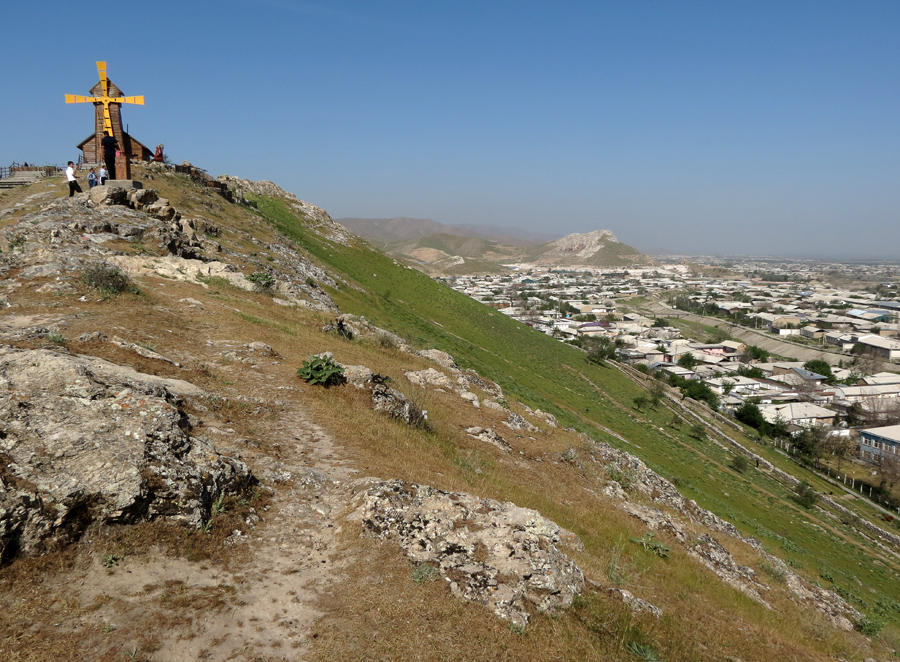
[[493, 553]]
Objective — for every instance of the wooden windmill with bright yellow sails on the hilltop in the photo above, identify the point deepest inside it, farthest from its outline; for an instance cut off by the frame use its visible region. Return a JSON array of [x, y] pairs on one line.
[[108, 99]]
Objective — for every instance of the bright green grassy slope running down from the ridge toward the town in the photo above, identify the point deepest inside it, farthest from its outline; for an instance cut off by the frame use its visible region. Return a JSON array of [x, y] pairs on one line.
[[556, 378]]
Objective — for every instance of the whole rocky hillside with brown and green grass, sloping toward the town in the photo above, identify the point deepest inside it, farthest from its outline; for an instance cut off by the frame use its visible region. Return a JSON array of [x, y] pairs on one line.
[[171, 489]]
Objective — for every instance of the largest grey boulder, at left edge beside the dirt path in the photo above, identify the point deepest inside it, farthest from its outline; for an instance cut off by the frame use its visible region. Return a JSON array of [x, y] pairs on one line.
[[83, 440]]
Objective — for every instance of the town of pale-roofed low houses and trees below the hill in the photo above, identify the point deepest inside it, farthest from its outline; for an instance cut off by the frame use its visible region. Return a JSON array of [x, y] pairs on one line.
[[806, 352]]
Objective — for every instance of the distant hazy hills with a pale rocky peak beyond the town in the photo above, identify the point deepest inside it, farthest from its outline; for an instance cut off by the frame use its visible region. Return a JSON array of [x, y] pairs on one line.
[[438, 248]]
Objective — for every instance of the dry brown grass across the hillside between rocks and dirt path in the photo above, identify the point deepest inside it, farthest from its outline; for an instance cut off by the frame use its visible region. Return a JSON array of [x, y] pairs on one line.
[[376, 612]]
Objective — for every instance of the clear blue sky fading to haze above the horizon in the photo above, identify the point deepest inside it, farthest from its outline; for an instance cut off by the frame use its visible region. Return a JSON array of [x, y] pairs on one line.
[[688, 127]]
